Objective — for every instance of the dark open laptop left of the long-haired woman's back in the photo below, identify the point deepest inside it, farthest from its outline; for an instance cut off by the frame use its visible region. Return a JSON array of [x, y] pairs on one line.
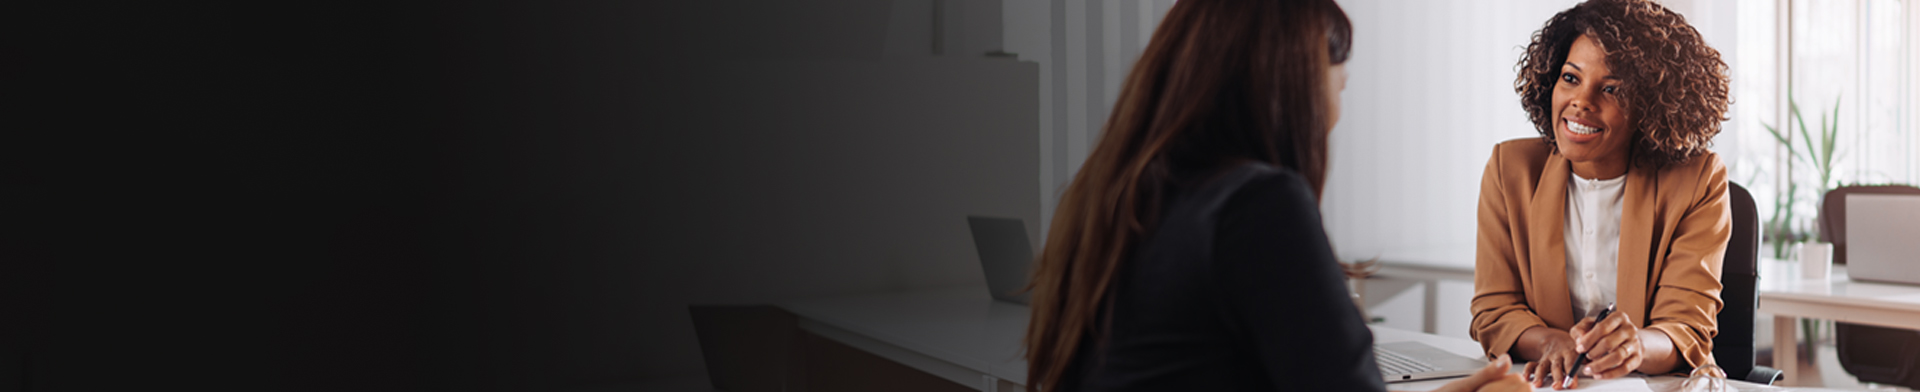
[[1005, 255]]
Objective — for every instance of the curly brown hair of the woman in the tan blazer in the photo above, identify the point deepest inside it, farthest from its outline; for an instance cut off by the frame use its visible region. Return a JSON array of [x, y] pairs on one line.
[[1673, 84]]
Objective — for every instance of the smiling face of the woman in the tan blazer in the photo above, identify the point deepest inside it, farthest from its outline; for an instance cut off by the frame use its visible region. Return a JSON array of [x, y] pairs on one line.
[[1593, 126]]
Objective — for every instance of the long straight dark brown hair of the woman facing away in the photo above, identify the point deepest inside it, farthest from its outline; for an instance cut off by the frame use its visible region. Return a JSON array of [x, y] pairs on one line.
[[1222, 82]]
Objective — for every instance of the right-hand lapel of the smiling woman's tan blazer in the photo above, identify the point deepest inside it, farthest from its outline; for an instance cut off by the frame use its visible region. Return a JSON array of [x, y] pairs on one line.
[[1637, 243]]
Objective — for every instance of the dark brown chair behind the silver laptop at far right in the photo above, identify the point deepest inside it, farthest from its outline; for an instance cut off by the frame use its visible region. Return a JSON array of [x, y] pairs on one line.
[[1875, 355]]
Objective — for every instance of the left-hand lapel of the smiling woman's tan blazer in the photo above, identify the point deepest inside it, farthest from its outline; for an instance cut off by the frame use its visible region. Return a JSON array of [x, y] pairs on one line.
[[1548, 255]]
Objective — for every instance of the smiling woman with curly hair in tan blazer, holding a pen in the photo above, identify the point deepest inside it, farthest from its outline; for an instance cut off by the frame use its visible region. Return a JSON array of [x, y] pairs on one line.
[[1616, 205]]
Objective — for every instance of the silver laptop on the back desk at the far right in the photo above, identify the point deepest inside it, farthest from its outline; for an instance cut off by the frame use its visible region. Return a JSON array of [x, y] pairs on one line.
[[1884, 237]]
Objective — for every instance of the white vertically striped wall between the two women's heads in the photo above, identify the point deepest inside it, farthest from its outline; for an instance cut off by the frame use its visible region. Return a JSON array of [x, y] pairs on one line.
[[1431, 93]]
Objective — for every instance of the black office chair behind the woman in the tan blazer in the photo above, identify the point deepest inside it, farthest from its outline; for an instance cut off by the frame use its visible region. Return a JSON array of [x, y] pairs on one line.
[[1733, 347]]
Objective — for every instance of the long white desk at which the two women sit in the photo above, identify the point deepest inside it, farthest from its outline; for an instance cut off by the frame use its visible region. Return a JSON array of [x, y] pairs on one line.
[[967, 337]]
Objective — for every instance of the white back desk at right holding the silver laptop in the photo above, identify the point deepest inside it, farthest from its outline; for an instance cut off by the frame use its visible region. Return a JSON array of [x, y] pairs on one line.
[[1788, 297]]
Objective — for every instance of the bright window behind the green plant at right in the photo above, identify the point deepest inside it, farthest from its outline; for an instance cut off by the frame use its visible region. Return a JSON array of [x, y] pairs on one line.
[[1848, 66]]
